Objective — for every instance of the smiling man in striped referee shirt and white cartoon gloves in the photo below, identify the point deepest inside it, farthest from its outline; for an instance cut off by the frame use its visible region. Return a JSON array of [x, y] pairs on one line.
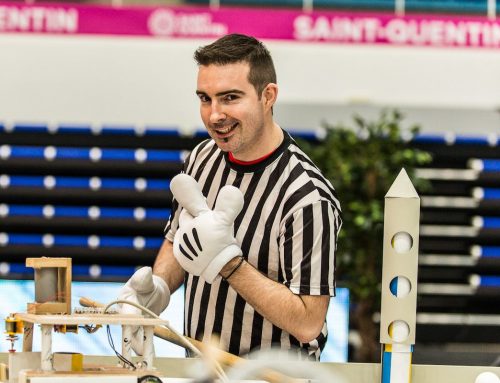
[[275, 289]]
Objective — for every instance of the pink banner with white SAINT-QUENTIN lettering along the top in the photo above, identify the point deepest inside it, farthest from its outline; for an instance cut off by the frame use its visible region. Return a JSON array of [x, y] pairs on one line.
[[197, 22]]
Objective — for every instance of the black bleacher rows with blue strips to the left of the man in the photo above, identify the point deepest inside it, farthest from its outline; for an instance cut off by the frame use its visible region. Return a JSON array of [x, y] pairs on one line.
[[99, 195]]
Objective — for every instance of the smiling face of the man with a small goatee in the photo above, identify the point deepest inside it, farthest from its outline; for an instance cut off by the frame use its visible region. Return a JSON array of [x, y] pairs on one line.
[[231, 109]]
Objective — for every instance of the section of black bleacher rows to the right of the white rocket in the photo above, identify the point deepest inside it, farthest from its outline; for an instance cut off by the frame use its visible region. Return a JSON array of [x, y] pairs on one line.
[[459, 261]]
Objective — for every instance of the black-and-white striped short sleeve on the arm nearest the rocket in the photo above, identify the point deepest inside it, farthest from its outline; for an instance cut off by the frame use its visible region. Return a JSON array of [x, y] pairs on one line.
[[307, 249]]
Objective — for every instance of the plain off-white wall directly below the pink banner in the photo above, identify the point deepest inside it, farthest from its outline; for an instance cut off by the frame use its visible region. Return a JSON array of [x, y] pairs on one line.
[[131, 80]]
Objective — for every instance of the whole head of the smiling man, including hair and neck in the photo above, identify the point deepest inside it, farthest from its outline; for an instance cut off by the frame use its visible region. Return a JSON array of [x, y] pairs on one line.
[[237, 89]]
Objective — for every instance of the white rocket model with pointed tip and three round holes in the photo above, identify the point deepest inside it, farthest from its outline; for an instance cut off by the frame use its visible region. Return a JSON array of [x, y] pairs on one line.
[[399, 279]]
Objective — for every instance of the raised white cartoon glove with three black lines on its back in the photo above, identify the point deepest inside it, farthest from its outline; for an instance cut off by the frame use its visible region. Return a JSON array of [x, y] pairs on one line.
[[204, 241]]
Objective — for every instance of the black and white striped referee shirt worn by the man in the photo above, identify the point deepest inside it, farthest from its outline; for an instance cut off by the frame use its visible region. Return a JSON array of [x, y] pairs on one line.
[[287, 230]]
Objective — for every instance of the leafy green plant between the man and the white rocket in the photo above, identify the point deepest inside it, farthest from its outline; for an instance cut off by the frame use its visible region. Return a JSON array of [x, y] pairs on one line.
[[362, 161]]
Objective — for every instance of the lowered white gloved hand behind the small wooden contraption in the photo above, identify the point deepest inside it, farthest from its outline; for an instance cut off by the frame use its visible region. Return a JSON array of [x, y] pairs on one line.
[[148, 290]]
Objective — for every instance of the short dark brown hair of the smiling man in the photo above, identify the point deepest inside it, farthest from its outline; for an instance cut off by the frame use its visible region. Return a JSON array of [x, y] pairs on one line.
[[237, 48]]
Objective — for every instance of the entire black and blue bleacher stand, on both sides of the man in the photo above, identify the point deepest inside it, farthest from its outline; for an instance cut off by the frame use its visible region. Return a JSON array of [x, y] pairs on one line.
[[101, 196]]
